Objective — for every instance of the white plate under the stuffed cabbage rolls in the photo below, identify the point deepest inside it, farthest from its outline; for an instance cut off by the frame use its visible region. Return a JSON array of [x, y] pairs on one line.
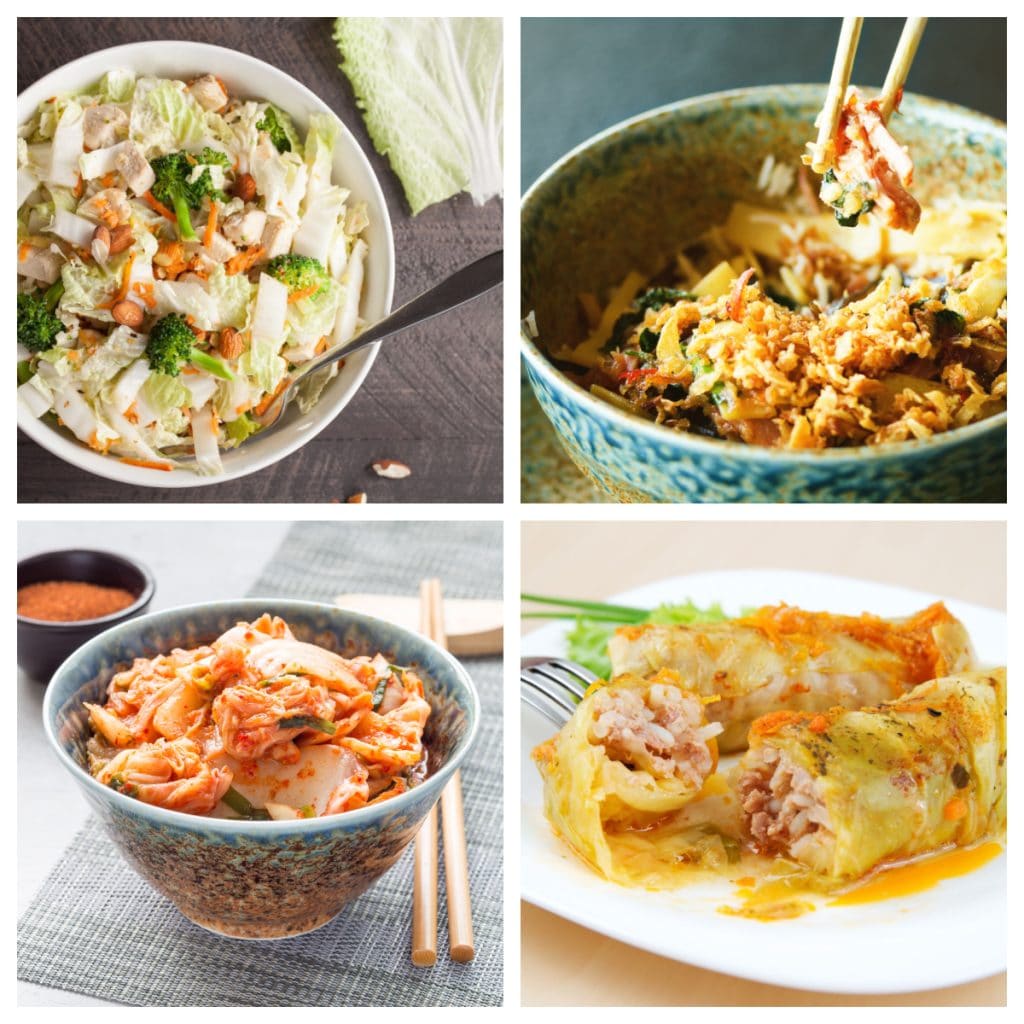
[[951, 934]]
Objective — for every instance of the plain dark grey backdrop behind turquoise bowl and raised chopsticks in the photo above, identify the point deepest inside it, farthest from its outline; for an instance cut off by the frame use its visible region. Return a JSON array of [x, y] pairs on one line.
[[581, 76]]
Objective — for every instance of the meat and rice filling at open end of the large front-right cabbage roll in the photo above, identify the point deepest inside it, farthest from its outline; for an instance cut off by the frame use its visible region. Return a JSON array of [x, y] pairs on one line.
[[784, 814]]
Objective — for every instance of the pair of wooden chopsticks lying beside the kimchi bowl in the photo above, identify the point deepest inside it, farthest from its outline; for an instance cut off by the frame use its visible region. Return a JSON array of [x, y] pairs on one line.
[[456, 866]]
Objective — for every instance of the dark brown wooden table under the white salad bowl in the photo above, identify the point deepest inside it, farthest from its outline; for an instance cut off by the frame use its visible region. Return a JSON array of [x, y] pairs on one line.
[[434, 399]]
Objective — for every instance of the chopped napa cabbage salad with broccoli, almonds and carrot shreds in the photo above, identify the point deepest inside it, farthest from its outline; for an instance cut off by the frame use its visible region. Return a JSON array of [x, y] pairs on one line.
[[181, 252]]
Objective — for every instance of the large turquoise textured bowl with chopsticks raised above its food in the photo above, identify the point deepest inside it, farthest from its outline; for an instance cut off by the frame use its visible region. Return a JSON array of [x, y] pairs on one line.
[[629, 198]]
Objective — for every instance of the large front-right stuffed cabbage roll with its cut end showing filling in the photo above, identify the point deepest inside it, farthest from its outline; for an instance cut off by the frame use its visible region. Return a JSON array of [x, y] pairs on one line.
[[846, 791]]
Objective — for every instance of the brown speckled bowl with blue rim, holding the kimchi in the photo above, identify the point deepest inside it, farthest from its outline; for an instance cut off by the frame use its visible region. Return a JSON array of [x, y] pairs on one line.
[[262, 880]]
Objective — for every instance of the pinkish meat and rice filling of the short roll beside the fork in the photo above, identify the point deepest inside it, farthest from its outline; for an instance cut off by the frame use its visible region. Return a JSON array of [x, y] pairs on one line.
[[660, 731]]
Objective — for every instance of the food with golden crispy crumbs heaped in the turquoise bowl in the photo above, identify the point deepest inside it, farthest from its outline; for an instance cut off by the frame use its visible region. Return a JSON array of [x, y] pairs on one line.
[[903, 362]]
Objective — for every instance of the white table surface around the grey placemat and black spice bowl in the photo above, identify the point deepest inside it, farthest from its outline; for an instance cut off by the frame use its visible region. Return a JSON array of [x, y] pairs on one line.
[[212, 561]]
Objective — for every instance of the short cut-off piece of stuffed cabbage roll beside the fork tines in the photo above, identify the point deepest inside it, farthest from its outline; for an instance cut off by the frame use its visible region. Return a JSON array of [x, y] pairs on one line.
[[634, 751]]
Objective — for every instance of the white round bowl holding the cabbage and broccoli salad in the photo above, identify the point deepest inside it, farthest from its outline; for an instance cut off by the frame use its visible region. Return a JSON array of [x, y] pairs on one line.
[[252, 79]]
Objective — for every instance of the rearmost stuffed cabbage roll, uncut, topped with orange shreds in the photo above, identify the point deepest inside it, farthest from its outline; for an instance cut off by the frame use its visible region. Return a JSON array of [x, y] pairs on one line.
[[782, 657]]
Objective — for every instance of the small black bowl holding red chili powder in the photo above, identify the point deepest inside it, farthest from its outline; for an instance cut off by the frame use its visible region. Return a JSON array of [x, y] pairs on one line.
[[44, 646]]
